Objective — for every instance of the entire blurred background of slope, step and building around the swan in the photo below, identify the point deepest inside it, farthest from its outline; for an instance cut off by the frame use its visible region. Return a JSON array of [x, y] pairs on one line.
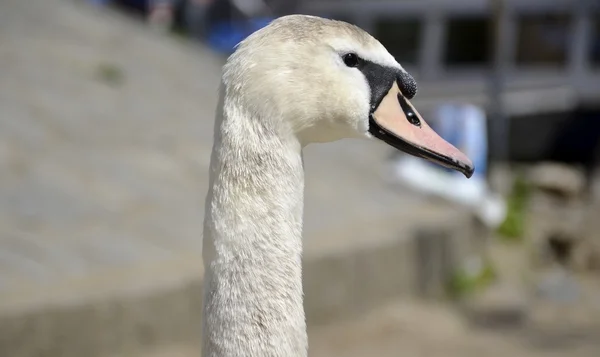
[[106, 117]]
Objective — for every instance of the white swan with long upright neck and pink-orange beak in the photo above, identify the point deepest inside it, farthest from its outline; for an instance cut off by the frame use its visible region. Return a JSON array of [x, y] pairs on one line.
[[299, 80]]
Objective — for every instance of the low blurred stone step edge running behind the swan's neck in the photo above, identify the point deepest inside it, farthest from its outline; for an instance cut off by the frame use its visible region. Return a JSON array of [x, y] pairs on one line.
[[159, 302]]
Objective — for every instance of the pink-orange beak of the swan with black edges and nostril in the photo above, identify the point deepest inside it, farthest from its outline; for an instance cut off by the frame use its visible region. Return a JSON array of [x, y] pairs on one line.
[[397, 122]]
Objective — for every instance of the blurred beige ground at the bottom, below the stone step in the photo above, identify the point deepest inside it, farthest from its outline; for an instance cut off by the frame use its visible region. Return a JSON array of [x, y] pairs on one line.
[[408, 328]]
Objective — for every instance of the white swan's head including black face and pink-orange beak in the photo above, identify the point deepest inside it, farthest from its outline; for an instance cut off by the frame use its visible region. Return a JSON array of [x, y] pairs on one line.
[[323, 80]]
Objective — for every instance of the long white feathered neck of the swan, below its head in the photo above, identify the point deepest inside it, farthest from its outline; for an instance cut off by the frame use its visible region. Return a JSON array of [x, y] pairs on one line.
[[252, 240]]
